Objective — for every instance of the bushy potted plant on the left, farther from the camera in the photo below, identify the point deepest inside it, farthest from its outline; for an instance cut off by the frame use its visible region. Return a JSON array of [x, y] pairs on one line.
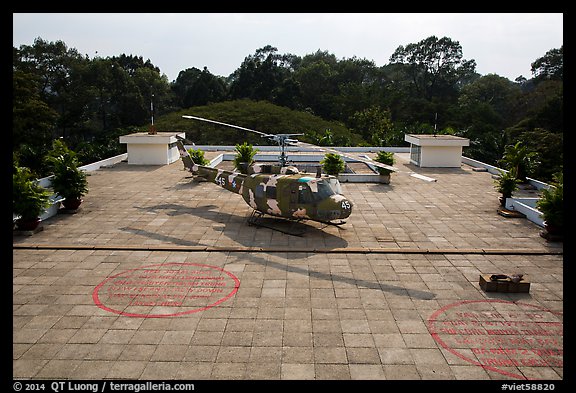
[[69, 181]]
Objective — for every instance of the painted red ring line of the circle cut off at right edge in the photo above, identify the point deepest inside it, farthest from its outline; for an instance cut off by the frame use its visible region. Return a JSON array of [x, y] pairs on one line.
[[433, 331]]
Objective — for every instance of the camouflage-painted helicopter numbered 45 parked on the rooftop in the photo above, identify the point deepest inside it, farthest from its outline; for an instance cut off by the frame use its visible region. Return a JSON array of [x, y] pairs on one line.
[[281, 190]]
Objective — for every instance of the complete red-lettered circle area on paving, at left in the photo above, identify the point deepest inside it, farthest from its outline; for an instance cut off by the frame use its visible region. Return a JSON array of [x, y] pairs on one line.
[[165, 290]]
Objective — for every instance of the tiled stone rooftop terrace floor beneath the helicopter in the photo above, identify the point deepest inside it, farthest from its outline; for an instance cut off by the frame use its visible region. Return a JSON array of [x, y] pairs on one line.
[[160, 277]]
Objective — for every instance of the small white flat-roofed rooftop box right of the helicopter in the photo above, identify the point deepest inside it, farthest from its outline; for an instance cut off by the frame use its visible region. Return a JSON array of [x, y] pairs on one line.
[[436, 151]]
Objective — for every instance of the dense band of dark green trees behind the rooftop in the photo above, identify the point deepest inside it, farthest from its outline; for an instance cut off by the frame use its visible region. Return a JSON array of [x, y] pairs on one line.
[[58, 92]]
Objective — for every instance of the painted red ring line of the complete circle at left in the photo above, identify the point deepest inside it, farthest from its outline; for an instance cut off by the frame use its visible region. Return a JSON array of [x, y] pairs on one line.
[[99, 303]]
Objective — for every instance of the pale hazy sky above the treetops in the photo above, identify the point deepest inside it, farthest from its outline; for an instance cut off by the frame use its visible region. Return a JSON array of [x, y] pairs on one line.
[[505, 44]]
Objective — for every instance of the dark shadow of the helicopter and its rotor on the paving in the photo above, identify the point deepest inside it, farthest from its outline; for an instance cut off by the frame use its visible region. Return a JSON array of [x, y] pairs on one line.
[[207, 212]]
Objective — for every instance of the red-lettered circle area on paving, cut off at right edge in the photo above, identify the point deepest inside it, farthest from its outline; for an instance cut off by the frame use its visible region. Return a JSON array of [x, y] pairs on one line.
[[499, 335]]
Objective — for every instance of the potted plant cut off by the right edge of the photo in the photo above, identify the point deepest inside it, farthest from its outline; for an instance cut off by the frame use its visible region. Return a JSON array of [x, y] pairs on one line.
[[551, 205]]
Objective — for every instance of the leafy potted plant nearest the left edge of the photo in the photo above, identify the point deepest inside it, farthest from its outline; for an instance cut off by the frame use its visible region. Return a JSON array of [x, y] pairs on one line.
[[29, 200]]
